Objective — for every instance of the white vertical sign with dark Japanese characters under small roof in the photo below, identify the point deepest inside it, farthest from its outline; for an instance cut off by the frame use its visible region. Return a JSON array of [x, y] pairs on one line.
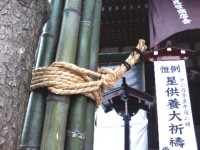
[[175, 122]]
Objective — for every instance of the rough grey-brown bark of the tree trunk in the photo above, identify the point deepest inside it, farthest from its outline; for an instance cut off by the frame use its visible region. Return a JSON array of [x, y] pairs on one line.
[[21, 23]]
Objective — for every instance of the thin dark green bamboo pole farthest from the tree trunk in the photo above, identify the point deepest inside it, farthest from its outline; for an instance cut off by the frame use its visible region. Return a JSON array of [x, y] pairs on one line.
[[90, 106]]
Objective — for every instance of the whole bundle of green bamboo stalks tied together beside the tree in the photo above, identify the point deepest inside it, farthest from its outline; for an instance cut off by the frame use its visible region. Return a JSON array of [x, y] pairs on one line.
[[69, 120]]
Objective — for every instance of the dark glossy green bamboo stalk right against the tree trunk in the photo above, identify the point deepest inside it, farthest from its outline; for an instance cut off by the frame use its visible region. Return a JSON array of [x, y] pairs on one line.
[[33, 124]]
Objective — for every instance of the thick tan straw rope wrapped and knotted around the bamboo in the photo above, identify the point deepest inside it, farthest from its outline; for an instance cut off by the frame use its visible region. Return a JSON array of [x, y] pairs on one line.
[[66, 79]]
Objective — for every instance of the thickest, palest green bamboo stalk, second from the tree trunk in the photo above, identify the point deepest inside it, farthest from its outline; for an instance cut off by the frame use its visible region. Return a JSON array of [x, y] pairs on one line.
[[53, 137]]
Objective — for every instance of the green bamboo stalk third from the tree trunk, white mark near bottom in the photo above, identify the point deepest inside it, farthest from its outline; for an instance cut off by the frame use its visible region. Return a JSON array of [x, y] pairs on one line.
[[76, 124]]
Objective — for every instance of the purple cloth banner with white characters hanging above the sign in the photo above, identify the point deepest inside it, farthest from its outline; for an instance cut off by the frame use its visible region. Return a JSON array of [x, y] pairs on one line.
[[167, 17]]
